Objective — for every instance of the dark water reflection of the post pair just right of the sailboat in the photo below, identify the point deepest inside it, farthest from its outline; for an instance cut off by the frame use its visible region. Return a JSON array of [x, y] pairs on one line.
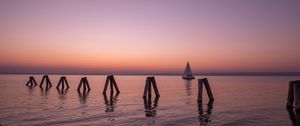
[[204, 116]]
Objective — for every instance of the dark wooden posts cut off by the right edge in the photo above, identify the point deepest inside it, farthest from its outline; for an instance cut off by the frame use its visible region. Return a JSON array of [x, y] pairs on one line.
[[294, 95]]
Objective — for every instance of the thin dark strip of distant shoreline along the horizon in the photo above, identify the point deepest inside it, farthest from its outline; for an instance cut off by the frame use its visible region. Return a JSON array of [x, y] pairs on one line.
[[173, 74]]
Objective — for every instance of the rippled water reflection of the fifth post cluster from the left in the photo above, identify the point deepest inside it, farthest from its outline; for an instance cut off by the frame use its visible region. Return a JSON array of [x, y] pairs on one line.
[[111, 103]]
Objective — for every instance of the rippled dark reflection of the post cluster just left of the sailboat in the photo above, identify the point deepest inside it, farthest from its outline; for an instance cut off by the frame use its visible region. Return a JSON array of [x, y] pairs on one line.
[[150, 109]]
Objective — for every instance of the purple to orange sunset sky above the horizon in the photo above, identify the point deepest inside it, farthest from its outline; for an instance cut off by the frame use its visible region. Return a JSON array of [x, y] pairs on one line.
[[157, 36]]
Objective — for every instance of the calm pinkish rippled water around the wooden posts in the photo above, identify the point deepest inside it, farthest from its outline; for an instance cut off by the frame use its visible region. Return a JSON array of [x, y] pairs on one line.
[[246, 100]]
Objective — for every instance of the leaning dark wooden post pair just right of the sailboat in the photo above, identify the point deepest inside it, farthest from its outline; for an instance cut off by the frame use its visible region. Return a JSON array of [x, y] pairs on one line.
[[207, 87]]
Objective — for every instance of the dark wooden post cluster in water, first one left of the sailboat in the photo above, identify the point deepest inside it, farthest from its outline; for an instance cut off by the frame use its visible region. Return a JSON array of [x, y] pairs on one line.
[[150, 81]]
